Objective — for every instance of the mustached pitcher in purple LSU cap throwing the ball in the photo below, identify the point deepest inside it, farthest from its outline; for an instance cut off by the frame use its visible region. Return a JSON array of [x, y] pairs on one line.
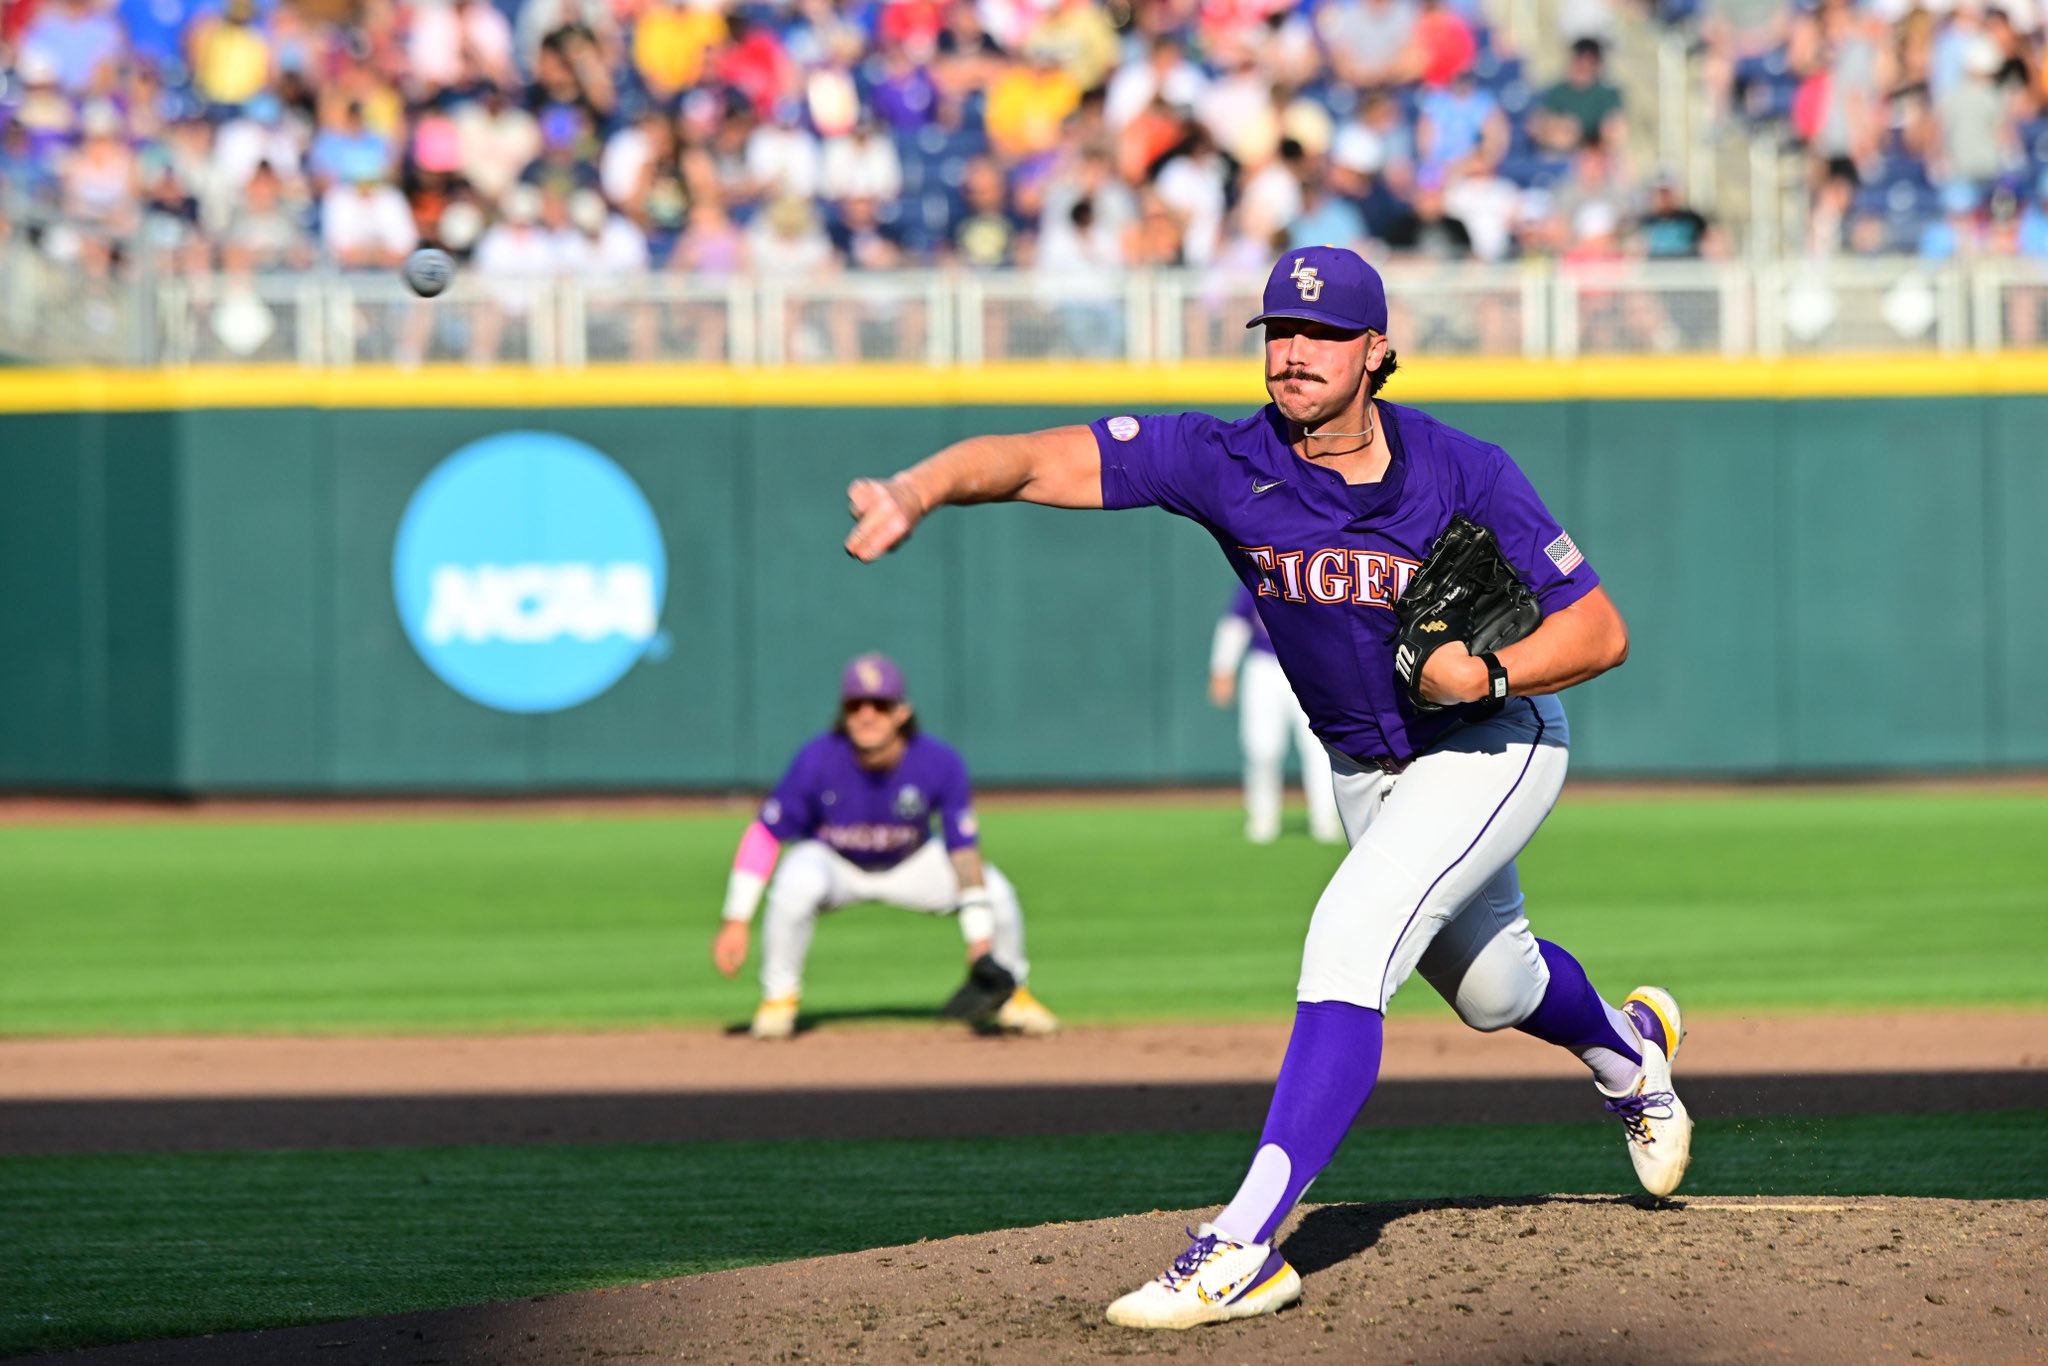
[[1428, 611]]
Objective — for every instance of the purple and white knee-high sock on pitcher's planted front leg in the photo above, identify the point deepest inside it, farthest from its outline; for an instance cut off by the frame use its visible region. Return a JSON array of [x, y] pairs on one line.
[[1332, 1062]]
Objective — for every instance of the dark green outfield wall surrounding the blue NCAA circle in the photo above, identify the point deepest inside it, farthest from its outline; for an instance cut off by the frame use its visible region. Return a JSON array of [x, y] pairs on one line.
[[200, 593]]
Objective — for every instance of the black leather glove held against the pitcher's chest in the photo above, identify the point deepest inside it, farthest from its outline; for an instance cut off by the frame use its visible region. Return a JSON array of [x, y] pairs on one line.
[[1465, 591]]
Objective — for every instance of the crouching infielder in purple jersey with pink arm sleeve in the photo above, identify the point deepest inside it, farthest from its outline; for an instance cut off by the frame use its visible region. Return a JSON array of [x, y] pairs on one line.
[[855, 812]]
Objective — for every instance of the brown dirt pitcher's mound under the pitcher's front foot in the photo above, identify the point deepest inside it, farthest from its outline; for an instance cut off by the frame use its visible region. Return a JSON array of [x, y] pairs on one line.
[[1564, 1279]]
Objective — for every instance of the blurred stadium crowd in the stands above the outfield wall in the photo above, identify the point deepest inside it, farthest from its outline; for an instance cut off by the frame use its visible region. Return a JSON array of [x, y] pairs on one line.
[[611, 138]]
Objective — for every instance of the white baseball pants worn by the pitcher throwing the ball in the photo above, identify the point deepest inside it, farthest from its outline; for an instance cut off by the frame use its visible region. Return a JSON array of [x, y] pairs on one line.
[[1431, 882]]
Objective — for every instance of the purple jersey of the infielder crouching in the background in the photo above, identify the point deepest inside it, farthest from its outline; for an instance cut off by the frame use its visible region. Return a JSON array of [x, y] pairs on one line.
[[873, 820]]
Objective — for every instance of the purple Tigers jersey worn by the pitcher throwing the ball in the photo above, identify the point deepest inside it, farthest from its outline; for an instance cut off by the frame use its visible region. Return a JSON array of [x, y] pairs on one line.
[[1328, 560]]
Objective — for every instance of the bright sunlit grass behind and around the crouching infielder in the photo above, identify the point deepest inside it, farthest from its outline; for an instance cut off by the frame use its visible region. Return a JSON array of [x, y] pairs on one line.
[[1799, 900]]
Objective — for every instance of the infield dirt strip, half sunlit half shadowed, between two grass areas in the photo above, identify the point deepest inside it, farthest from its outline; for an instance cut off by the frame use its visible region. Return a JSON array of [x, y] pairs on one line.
[[194, 1095]]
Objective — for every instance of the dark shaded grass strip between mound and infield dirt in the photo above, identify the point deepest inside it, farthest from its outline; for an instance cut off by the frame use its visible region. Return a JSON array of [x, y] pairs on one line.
[[124, 1248]]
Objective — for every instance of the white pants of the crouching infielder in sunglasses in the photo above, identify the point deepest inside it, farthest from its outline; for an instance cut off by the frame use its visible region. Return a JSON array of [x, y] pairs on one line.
[[814, 880]]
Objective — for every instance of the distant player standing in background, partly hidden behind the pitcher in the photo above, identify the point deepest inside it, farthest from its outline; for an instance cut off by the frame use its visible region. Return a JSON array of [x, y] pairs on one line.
[[1242, 669]]
